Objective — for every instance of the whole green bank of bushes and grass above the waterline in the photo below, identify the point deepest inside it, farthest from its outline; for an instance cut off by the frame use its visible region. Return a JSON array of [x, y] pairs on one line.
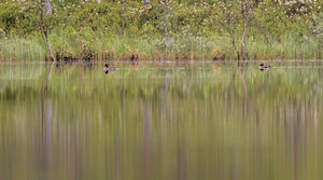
[[165, 29]]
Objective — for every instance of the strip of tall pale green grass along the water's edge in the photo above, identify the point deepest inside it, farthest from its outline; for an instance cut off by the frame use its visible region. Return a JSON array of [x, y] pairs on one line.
[[106, 46]]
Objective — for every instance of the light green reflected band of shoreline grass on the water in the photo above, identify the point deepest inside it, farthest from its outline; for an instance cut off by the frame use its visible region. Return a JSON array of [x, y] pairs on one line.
[[192, 81]]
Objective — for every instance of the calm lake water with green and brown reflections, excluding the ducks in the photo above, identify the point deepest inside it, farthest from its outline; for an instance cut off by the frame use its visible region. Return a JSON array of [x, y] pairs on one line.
[[161, 121]]
